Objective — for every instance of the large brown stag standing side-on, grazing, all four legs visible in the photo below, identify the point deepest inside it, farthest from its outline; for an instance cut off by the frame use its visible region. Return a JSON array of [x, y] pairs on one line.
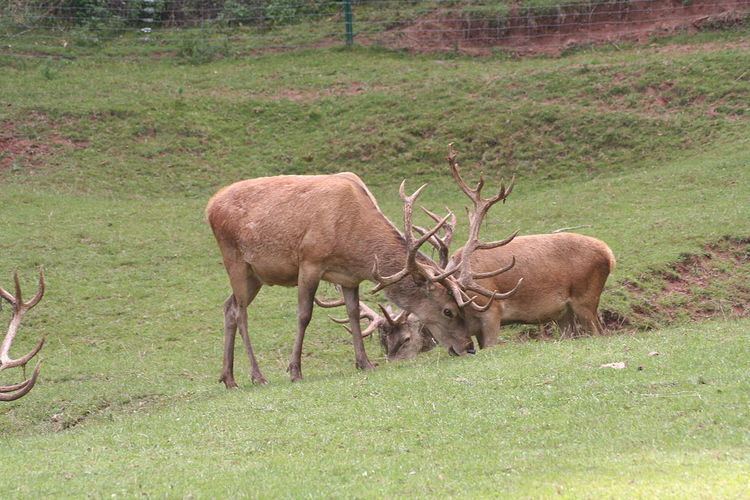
[[299, 230]]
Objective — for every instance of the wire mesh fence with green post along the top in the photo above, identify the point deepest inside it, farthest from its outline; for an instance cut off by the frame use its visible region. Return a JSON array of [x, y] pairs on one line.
[[204, 29]]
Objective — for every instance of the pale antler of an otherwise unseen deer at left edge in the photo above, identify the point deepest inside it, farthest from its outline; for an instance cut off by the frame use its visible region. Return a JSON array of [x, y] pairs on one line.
[[17, 391]]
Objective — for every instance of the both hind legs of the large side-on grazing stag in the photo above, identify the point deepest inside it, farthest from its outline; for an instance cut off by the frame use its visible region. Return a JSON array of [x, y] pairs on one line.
[[245, 287]]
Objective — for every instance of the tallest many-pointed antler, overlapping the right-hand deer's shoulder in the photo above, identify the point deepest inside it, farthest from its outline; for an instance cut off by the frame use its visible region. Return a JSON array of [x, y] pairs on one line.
[[465, 280]]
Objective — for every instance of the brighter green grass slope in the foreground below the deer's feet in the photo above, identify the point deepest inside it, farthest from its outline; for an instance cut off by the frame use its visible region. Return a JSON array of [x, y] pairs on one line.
[[524, 419]]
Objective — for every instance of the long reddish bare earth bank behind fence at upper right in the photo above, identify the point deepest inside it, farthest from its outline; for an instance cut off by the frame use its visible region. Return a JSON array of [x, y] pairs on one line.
[[571, 25]]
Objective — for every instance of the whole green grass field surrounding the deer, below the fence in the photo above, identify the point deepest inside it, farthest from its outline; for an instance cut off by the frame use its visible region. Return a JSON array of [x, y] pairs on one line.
[[107, 164]]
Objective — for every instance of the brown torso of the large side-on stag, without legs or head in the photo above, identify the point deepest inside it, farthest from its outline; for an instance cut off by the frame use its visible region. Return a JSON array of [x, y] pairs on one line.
[[276, 224]]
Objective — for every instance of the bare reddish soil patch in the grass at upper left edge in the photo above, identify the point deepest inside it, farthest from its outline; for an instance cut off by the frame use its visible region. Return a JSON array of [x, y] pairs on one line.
[[18, 149]]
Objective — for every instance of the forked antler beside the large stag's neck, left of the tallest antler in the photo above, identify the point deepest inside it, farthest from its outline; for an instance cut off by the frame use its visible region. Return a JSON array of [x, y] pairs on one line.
[[412, 267]]
